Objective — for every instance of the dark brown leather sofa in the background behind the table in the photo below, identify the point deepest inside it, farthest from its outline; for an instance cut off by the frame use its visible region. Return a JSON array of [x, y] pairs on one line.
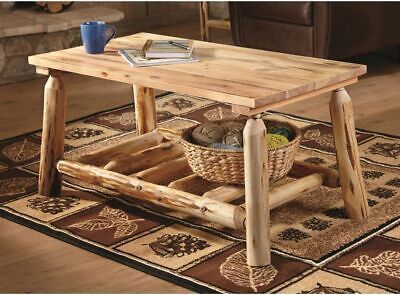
[[334, 30]]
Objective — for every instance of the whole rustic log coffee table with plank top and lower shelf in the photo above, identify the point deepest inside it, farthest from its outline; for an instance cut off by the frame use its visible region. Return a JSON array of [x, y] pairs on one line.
[[251, 81]]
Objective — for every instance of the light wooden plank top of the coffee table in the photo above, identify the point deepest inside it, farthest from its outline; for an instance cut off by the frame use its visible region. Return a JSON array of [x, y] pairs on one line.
[[240, 76]]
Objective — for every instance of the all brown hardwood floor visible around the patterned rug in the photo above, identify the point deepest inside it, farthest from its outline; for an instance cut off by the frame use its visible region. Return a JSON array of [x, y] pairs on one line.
[[33, 262]]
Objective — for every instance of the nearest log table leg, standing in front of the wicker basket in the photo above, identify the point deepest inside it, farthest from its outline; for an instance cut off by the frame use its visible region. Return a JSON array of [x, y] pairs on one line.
[[256, 190]]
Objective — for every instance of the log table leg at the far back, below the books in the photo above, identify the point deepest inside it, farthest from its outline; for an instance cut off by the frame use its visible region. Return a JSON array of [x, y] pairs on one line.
[[145, 109]]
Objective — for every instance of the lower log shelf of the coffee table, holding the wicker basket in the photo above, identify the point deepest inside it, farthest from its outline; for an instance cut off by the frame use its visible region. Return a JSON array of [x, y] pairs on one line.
[[152, 167]]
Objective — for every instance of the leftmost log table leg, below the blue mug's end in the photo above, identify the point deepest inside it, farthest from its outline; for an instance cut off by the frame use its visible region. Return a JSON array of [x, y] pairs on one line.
[[52, 148]]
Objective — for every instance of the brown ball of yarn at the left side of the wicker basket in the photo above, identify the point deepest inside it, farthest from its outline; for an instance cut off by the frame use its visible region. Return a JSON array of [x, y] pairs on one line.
[[208, 133]]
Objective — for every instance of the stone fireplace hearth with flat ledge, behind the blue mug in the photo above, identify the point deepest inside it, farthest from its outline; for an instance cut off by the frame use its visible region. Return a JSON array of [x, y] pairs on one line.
[[28, 30]]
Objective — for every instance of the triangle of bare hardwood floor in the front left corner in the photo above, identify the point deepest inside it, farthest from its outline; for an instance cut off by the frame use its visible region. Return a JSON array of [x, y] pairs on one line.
[[31, 262]]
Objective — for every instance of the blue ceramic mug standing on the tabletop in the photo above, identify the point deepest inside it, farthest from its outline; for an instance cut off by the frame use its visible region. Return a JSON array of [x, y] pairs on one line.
[[93, 35]]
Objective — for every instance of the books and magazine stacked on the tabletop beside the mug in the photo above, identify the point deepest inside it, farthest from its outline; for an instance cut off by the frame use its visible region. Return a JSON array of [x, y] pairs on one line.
[[160, 52]]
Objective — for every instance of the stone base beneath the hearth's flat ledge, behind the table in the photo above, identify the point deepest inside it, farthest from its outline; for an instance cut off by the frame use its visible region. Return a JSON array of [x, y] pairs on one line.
[[14, 52]]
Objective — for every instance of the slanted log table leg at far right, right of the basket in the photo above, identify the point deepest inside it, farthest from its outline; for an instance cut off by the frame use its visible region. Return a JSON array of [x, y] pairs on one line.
[[350, 177]]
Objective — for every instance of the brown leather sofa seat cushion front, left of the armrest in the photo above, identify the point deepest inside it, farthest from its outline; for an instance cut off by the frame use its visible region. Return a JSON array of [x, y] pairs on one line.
[[291, 12]]
